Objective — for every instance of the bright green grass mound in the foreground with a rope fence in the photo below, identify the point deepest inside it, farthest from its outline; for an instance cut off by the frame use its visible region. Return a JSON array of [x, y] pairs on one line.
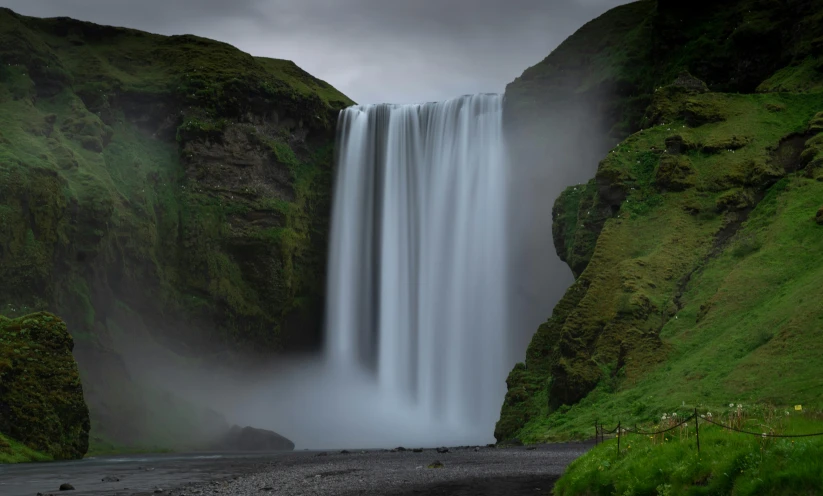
[[728, 462]]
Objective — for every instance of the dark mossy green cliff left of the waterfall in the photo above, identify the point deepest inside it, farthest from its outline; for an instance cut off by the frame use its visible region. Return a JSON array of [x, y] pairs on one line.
[[168, 187]]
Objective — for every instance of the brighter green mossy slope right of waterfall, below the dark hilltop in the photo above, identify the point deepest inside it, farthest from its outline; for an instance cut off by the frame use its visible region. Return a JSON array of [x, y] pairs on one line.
[[666, 311]]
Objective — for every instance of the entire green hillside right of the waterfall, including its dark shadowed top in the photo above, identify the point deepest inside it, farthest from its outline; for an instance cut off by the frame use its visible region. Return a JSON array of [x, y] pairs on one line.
[[686, 244]]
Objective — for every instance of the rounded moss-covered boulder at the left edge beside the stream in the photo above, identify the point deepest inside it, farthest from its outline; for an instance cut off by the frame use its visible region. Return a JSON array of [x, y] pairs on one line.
[[41, 397]]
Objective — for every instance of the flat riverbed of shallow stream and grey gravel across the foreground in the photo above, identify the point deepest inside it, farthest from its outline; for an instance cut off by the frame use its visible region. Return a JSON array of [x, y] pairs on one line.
[[476, 471]]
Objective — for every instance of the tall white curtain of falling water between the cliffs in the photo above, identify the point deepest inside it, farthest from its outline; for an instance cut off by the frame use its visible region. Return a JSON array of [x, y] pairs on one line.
[[417, 270]]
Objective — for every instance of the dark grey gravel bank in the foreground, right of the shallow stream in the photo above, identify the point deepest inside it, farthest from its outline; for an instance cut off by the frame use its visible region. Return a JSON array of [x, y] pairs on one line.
[[477, 471]]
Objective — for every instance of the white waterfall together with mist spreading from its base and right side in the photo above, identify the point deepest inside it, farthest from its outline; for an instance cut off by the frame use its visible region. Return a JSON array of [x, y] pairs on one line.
[[441, 268]]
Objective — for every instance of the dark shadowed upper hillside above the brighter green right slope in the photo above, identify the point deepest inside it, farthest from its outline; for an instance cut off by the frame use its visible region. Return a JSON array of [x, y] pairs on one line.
[[620, 58]]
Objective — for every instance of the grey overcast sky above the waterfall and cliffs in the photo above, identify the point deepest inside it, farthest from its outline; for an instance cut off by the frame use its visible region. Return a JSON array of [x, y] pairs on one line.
[[398, 51]]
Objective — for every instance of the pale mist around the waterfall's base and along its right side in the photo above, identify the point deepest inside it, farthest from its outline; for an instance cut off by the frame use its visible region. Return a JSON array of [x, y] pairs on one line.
[[319, 406]]
